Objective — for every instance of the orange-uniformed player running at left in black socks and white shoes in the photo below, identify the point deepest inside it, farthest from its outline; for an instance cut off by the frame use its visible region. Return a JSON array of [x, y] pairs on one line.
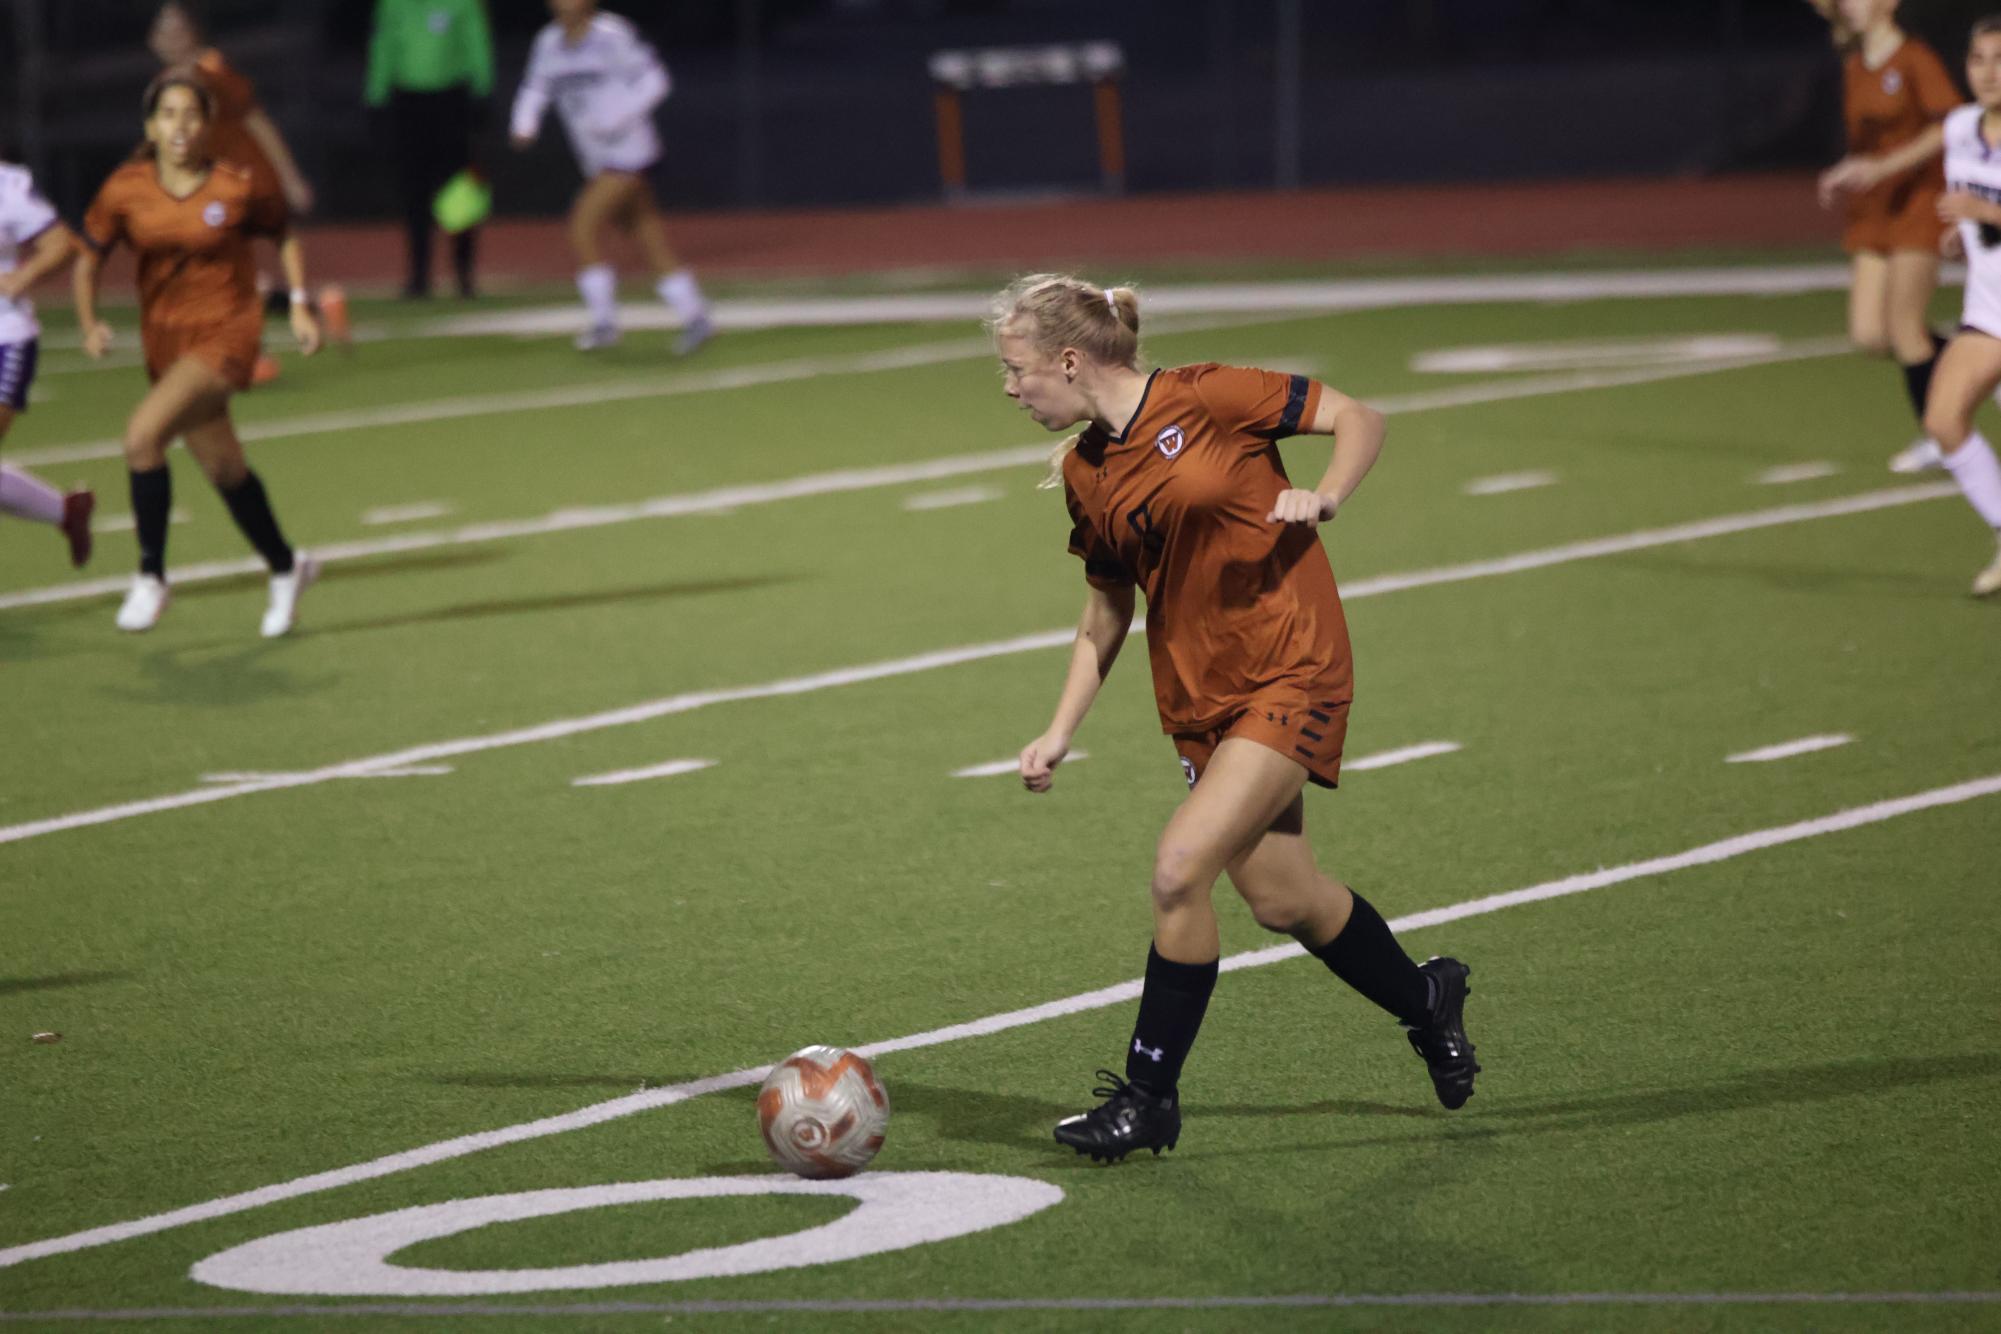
[[191, 223]]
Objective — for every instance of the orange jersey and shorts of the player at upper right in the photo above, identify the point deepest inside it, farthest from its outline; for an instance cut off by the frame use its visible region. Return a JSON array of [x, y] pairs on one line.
[[1886, 109]]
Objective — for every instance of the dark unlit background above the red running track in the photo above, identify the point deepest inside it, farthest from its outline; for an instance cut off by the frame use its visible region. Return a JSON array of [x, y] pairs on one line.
[[793, 103]]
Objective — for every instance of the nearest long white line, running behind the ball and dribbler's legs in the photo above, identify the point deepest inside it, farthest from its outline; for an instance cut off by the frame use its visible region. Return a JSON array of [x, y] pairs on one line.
[[645, 1101]]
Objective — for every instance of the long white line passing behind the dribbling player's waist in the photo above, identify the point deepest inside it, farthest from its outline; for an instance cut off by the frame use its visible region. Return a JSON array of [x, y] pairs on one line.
[[971, 653]]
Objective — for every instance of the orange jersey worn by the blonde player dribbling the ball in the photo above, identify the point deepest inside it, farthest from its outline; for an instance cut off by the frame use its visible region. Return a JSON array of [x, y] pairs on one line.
[[1238, 611]]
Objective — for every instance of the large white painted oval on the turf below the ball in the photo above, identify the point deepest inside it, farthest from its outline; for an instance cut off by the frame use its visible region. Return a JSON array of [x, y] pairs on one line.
[[353, 1259]]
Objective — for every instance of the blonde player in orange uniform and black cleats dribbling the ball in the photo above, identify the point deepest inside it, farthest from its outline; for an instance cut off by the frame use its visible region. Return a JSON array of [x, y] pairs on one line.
[[1176, 487]]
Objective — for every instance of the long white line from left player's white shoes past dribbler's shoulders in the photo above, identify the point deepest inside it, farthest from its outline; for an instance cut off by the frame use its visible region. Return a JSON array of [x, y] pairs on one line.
[[817, 485]]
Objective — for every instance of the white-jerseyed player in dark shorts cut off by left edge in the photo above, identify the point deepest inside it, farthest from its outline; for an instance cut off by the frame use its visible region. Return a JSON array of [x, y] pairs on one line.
[[33, 245]]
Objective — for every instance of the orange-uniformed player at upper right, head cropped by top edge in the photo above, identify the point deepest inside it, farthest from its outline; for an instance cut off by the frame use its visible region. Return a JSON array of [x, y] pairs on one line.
[[1896, 97]]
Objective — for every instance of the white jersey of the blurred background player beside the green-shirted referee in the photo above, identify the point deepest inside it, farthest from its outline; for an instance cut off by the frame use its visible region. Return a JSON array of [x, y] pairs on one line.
[[605, 89]]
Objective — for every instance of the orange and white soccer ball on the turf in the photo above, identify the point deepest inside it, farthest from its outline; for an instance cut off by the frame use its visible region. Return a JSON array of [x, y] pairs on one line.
[[823, 1113]]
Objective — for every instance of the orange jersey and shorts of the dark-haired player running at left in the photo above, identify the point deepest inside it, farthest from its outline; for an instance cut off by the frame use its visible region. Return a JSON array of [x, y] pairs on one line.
[[197, 279]]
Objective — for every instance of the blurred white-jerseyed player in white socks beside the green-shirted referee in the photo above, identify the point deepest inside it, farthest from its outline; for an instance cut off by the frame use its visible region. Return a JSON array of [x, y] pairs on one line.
[[605, 81]]
